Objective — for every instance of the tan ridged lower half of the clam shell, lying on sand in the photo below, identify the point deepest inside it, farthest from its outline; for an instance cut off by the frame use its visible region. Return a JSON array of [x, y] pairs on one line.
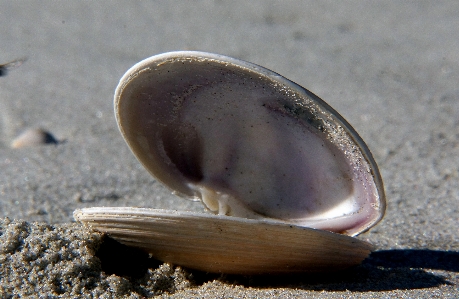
[[226, 244]]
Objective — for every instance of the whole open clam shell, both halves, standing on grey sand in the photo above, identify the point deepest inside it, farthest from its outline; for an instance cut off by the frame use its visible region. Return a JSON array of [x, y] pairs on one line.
[[249, 144]]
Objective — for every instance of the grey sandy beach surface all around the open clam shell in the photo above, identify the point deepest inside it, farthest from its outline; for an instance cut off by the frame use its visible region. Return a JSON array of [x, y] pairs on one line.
[[390, 68]]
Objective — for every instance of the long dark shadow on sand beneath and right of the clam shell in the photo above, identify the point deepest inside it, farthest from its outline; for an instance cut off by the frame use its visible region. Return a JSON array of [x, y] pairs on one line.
[[384, 270]]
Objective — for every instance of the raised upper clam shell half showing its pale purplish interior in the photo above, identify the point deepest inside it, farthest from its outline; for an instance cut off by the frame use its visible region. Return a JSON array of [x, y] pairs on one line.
[[248, 142]]
